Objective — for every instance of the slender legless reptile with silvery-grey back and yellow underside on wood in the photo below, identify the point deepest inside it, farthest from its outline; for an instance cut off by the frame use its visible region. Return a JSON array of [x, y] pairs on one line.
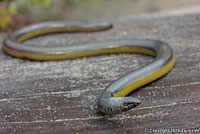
[[113, 99]]
